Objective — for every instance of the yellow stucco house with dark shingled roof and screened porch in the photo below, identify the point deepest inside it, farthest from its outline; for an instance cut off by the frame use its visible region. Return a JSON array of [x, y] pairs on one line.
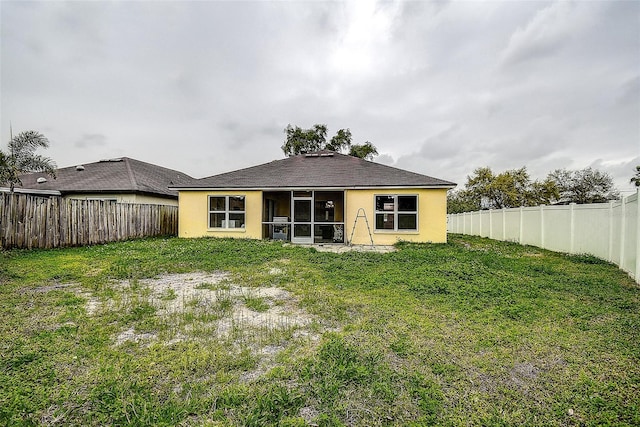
[[320, 197]]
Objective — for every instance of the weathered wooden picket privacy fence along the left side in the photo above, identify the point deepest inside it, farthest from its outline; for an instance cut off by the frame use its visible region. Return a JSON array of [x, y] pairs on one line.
[[28, 221]]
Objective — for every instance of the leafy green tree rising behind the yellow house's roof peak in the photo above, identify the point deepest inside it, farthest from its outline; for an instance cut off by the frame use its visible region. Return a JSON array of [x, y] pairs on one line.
[[300, 140]]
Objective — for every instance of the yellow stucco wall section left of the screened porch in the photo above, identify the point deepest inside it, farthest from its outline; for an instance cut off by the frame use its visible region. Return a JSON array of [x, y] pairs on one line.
[[193, 215]]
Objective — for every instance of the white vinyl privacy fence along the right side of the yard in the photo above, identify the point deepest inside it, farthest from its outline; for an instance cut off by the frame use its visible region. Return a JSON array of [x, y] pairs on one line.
[[610, 231]]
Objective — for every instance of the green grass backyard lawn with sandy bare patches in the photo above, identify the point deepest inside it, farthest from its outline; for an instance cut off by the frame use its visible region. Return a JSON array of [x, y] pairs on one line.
[[232, 332]]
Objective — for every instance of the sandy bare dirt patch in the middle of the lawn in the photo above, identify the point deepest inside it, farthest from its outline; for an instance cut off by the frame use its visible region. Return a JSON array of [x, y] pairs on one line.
[[208, 306]]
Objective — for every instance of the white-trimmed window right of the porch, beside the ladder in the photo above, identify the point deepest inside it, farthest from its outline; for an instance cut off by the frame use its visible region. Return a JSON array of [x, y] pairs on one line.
[[396, 212]]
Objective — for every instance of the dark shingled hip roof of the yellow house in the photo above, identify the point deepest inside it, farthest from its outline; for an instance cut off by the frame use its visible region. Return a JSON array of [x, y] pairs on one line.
[[321, 169]]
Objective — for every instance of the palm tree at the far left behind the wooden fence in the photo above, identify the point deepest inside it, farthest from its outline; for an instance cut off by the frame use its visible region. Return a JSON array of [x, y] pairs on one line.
[[21, 158]]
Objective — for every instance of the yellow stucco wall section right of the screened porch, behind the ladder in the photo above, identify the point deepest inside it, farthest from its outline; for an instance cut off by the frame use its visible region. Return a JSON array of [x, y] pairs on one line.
[[432, 217]]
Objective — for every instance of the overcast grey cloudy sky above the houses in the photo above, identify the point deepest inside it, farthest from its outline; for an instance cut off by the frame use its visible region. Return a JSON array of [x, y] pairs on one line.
[[440, 88]]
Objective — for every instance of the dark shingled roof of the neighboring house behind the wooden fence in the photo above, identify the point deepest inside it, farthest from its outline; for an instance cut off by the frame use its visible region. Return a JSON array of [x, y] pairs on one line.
[[121, 175]]
